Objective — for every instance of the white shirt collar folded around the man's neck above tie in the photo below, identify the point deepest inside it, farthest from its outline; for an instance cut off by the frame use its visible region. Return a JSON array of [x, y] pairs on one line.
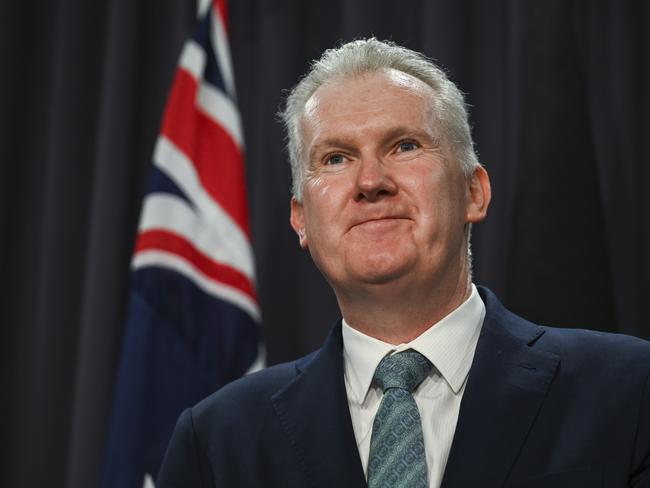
[[449, 345]]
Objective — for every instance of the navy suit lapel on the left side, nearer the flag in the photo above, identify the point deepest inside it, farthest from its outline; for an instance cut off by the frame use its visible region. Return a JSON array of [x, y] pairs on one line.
[[314, 413]]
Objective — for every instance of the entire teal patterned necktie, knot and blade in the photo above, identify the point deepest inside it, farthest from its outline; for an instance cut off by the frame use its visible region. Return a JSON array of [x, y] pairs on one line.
[[397, 458]]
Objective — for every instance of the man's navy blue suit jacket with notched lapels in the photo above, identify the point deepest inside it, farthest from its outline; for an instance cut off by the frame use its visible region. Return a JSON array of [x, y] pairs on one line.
[[543, 407]]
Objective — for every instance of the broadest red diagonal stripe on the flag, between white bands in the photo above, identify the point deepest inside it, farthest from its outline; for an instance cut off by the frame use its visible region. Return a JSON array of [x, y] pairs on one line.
[[217, 159]]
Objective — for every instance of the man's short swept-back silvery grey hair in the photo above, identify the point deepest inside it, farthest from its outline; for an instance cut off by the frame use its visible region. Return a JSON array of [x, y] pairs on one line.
[[371, 55]]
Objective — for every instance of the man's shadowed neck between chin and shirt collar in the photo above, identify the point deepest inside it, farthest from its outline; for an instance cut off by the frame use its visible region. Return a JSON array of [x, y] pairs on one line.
[[397, 314]]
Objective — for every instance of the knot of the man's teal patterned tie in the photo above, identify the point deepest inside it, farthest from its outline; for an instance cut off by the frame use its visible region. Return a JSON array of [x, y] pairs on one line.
[[404, 370]]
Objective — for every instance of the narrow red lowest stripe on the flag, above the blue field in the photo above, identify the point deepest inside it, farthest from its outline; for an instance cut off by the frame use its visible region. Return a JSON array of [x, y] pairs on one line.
[[161, 240]]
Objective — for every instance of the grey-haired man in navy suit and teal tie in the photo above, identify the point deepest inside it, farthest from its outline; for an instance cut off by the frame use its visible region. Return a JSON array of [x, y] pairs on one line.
[[386, 187]]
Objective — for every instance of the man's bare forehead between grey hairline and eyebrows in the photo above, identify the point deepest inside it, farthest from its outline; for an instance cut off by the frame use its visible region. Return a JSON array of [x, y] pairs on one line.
[[373, 98]]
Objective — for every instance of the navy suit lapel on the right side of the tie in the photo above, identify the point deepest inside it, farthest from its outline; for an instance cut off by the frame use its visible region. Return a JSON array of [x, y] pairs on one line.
[[506, 387]]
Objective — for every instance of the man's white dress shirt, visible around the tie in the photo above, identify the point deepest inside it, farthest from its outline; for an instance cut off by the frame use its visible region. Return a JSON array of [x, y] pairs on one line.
[[450, 346]]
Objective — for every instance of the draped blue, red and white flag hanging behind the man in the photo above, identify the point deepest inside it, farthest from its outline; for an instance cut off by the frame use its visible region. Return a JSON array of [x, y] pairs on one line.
[[193, 319]]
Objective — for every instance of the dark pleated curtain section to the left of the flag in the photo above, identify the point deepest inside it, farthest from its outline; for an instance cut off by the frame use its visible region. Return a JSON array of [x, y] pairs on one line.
[[83, 89]]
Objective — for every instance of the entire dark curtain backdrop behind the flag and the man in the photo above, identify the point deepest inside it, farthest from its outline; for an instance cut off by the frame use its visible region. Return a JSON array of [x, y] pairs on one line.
[[560, 103]]
